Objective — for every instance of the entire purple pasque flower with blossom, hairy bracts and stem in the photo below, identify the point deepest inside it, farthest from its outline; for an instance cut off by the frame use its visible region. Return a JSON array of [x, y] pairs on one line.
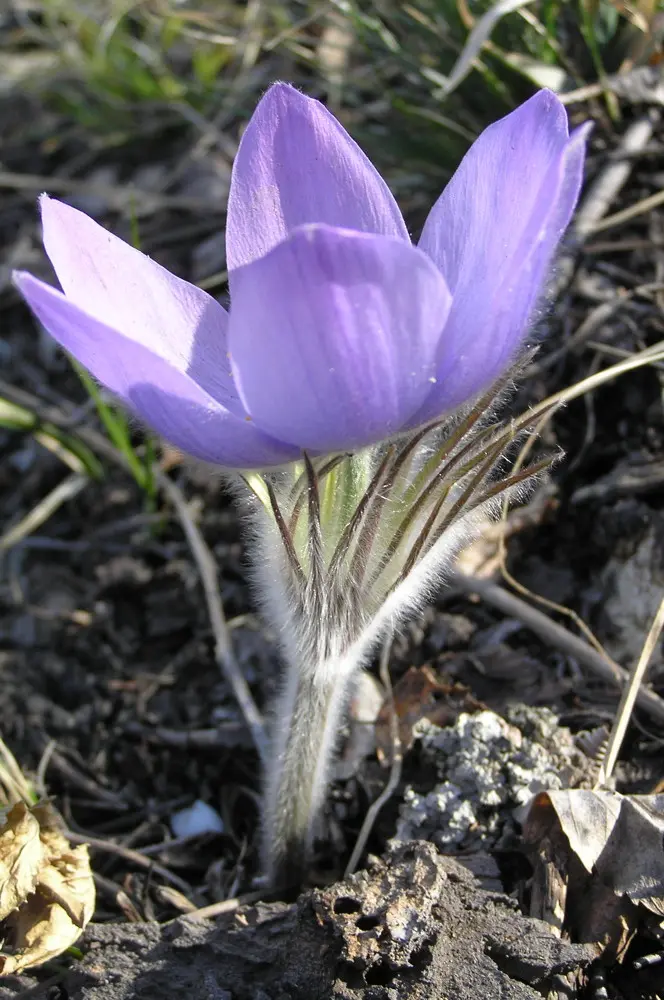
[[358, 372]]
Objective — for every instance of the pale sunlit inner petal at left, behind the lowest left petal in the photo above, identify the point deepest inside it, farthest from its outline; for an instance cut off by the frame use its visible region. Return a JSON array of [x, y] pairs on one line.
[[120, 286]]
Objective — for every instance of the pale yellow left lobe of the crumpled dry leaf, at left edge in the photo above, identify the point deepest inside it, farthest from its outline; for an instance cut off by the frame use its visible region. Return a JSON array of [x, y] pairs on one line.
[[21, 857]]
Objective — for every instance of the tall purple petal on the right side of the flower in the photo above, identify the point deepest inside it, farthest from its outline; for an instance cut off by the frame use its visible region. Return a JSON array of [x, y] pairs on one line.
[[493, 233]]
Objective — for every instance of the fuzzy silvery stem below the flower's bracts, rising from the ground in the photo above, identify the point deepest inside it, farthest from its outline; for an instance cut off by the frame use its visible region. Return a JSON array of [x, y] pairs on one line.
[[306, 726]]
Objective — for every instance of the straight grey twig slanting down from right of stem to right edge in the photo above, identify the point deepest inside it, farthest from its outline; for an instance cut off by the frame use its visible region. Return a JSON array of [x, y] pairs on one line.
[[551, 632]]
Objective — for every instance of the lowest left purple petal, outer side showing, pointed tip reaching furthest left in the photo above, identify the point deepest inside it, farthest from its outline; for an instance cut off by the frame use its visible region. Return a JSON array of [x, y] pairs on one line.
[[166, 398]]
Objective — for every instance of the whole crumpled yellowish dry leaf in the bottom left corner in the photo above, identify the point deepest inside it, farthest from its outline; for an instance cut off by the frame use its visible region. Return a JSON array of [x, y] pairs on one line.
[[47, 892]]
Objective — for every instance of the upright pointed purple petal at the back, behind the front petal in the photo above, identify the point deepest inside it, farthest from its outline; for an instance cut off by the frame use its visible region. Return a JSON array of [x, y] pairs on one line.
[[297, 164]]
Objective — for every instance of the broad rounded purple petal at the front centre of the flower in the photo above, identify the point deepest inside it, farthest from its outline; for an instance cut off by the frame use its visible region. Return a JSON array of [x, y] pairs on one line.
[[333, 336]]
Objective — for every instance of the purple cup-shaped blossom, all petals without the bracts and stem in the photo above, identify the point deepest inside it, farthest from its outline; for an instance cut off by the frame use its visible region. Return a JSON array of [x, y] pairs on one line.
[[341, 333]]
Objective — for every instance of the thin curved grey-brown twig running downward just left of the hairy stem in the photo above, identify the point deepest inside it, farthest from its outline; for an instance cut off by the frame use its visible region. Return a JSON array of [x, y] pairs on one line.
[[223, 649]]
